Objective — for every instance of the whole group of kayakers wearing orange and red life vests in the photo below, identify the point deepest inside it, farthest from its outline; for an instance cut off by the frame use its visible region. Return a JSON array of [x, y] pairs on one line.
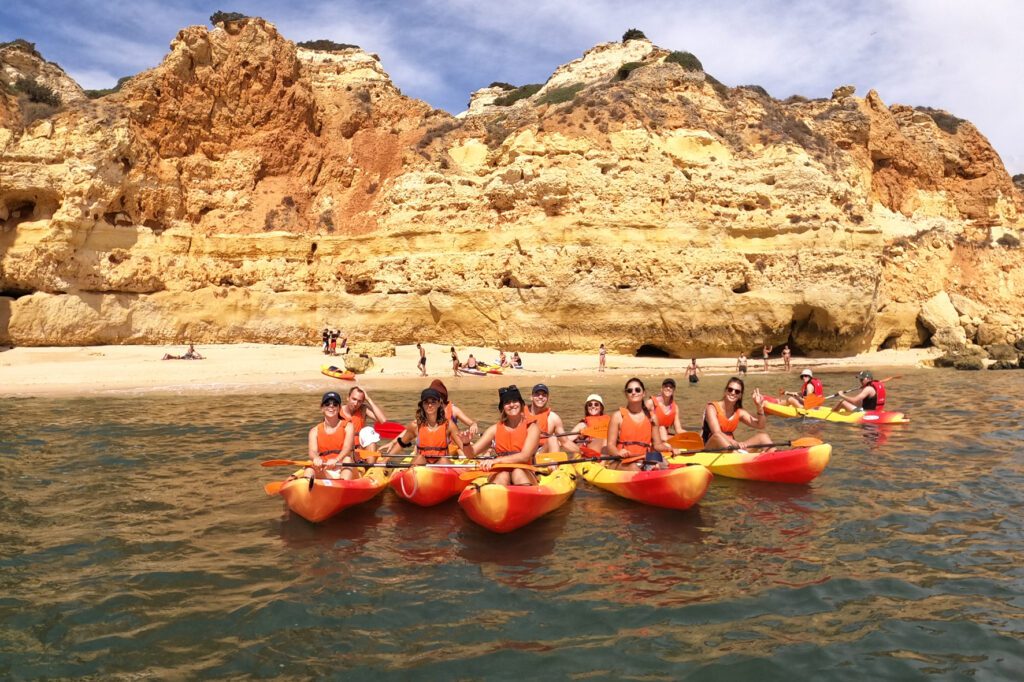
[[636, 436]]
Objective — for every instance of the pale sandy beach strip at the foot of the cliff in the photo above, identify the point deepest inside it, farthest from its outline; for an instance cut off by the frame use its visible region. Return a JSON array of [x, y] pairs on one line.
[[251, 369]]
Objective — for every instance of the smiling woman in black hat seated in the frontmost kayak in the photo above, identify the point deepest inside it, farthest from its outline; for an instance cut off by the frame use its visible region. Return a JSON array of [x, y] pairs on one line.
[[515, 440]]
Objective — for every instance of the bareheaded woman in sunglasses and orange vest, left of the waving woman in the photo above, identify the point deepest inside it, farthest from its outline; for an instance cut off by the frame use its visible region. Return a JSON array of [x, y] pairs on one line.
[[633, 433]]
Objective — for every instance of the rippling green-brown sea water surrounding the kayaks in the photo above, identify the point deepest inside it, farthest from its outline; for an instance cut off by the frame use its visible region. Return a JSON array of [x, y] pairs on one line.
[[136, 541]]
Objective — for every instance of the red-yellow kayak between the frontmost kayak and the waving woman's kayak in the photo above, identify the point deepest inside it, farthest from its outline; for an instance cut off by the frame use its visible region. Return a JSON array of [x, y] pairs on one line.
[[678, 488]]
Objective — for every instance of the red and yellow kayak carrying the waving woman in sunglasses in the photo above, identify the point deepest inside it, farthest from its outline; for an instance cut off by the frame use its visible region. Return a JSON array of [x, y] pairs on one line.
[[800, 465]]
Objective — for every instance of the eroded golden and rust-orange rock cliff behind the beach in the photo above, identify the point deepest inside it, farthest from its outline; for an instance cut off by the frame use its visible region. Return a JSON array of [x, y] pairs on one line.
[[248, 190]]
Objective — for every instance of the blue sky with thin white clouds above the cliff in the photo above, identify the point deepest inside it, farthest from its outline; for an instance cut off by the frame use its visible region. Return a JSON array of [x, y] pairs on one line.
[[965, 57]]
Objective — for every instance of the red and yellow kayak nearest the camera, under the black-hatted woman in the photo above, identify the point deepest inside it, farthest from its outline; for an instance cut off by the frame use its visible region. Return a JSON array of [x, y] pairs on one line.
[[505, 508]]
